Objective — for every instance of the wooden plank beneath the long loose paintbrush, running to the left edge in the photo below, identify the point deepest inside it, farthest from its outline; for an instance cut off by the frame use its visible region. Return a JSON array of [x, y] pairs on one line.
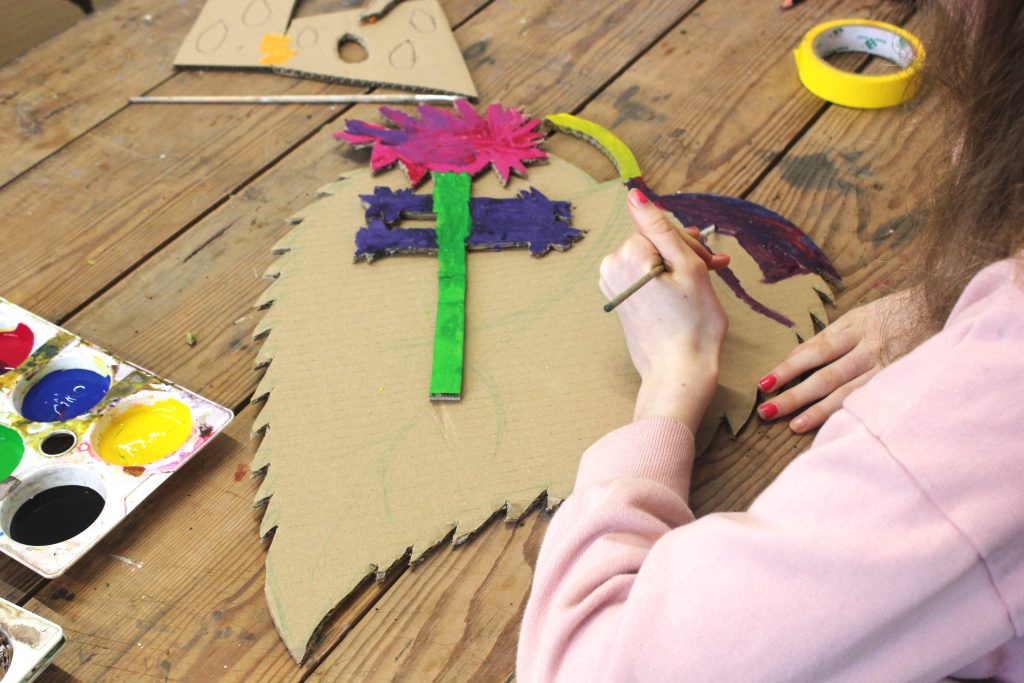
[[121, 191]]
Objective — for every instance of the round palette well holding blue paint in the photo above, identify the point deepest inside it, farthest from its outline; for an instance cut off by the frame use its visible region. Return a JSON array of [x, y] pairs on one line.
[[65, 390]]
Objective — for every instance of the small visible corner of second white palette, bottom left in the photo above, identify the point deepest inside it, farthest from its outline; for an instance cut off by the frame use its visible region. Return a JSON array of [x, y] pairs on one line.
[[28, 644]]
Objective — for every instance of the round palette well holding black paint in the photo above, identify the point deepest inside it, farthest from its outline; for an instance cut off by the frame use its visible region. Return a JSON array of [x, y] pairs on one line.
[[53, 506]]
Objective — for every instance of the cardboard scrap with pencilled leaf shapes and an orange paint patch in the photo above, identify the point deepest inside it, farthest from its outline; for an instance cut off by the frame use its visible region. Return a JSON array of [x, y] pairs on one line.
[[411, 48]]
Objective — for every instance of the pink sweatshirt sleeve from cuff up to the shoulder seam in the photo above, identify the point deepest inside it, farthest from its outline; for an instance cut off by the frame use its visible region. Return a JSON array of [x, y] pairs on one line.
[[843, 570]]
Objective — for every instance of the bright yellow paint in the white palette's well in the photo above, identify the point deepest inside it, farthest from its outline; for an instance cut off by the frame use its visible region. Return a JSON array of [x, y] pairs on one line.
[[144, 435]]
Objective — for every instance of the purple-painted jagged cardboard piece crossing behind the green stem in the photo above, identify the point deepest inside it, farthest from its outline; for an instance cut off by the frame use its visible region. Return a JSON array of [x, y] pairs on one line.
[[531, 221]]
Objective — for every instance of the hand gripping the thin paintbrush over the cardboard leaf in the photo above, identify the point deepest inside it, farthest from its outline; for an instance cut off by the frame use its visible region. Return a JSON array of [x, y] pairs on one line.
[[675, 325]]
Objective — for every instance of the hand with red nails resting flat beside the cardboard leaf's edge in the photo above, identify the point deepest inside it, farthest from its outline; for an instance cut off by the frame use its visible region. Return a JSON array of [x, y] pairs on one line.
[[848, 353]]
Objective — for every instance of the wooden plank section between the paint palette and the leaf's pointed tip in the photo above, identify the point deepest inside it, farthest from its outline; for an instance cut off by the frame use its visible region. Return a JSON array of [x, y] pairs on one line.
[[176, 592]]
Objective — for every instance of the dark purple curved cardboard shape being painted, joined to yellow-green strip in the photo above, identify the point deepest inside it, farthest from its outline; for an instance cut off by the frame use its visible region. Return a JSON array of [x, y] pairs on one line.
[[780, 248]]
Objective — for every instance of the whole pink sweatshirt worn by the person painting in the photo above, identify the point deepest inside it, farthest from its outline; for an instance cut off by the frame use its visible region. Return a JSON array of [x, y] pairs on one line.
[[892, 550]]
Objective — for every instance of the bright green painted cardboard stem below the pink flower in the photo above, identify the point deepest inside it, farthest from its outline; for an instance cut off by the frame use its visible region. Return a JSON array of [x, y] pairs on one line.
[[452, 192]]
